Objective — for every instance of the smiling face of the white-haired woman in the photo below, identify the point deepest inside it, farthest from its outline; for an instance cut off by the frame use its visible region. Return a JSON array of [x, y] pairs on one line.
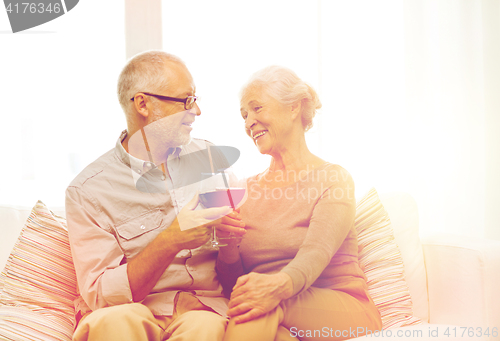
[[266, 120]]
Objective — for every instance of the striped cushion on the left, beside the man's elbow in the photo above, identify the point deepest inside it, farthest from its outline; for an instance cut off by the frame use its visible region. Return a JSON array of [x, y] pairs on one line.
[[38, 284]]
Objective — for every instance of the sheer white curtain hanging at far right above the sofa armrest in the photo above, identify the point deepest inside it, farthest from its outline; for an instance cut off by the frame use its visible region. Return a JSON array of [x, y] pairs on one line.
[[452, 56]]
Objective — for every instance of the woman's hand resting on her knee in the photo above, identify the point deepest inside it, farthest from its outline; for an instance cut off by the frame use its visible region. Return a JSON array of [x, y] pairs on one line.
[[257, 294]]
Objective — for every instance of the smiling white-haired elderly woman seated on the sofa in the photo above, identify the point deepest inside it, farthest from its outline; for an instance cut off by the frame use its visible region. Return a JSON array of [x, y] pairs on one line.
[[300, 252]]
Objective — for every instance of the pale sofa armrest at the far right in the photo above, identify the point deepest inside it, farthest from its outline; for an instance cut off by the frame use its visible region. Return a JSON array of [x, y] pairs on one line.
[[463, 276]]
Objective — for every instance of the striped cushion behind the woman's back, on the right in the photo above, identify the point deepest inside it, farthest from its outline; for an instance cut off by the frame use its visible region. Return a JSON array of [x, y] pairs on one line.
[[381, 261]]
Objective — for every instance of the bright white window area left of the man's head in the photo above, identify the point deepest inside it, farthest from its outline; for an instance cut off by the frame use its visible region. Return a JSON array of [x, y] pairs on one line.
[[59, 106]]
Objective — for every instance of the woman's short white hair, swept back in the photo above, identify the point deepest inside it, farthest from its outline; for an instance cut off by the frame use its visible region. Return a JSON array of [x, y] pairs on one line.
[[286, 87]]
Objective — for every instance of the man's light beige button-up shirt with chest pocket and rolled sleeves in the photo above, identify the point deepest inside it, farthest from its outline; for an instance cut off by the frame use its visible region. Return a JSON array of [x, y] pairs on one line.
[[115, 207]]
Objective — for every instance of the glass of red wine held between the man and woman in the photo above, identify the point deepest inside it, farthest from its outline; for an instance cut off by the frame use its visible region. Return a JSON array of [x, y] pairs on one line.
[[215, 191]]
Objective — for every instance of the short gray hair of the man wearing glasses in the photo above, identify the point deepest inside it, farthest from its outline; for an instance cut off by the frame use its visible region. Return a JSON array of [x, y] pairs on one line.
[[143, 72]]
